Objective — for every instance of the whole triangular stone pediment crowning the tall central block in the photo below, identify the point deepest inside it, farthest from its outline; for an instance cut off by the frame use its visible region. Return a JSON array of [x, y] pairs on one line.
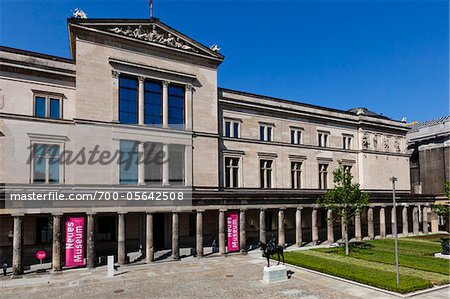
[[151, 32]]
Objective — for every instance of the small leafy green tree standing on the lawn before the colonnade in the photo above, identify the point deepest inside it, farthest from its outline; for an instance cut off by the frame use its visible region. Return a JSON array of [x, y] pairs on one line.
[[345, 200]]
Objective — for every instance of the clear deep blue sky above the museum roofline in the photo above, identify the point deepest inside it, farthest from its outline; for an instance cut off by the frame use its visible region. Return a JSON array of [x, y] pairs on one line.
[[389, 56]]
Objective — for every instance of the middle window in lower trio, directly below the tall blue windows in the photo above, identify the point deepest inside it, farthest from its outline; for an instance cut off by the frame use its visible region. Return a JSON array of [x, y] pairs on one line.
[[154, 159]]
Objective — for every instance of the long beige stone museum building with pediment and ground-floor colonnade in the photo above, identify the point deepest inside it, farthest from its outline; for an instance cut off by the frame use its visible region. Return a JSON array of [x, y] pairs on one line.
[[254, 165]]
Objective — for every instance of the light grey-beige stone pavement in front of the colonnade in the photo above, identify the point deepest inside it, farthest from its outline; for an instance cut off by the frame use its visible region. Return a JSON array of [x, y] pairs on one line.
[[235, 276]]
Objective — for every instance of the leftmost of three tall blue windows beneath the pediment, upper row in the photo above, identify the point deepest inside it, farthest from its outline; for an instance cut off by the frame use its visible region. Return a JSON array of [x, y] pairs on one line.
[[128, 100]]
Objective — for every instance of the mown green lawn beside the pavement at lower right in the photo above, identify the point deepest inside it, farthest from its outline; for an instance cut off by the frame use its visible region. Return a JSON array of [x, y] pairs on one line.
[[373, 263]]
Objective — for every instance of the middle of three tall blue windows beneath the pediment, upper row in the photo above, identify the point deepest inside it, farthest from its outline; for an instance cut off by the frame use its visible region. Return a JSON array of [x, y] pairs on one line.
[[153, 103]]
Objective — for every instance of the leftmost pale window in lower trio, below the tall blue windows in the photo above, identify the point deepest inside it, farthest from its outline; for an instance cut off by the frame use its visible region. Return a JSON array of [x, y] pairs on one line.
[[128, 162]]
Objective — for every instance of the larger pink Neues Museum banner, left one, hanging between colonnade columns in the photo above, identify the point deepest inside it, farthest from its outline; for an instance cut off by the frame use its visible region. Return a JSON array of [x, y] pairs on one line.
[[74, 241]]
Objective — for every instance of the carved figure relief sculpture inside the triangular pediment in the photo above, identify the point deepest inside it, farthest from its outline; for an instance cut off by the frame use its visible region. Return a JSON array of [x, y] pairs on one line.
[[153, 35]]
